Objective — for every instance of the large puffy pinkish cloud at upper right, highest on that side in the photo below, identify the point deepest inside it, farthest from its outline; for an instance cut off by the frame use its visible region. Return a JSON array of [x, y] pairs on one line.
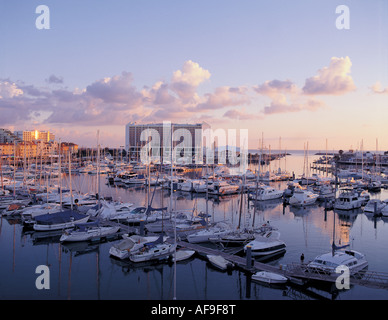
[[332, 80]]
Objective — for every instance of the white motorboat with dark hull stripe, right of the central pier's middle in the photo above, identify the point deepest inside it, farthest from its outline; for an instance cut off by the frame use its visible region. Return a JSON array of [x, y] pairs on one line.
[[266, 244]]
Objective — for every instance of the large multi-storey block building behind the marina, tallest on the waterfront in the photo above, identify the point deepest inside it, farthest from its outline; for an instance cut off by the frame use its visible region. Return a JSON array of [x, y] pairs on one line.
[[187, 141]]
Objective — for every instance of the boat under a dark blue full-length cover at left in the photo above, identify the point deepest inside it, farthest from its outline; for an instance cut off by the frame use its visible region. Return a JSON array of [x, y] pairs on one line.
[[59, 220]]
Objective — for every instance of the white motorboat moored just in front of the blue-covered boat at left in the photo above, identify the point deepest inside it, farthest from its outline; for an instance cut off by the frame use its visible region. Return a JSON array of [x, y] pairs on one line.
[[88, 231]]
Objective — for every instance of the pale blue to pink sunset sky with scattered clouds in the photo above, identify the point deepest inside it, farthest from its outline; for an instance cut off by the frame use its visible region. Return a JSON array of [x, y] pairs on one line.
[[285, 70]]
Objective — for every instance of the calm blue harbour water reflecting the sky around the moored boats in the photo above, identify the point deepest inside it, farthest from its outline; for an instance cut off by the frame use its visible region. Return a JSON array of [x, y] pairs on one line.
[[81, 271]]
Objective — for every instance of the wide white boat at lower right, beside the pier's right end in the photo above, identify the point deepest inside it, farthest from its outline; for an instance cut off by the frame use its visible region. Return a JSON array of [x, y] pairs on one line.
[[328, 262]]
